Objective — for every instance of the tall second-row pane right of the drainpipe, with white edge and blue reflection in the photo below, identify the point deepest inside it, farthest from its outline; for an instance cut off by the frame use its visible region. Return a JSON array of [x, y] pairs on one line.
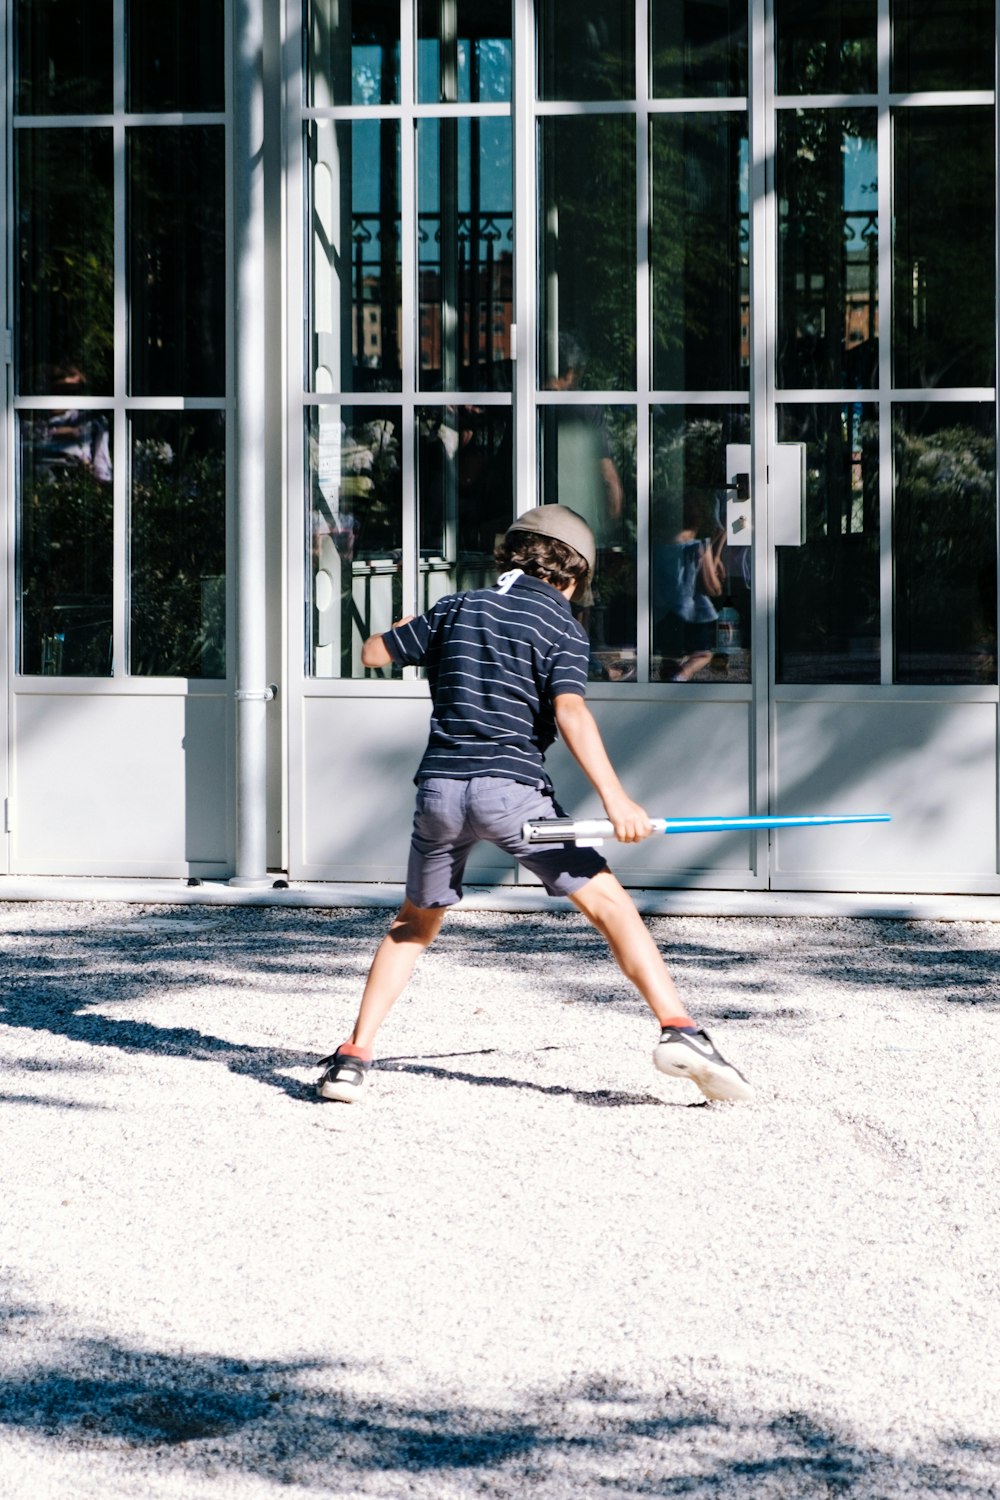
[[356, 256]]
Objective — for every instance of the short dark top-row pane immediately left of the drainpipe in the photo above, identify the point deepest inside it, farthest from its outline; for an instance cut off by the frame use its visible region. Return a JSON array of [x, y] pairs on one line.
[[176, 55]]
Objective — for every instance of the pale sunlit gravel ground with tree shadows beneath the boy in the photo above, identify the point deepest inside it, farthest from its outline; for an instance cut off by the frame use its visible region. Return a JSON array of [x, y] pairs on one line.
[[528, 1264]]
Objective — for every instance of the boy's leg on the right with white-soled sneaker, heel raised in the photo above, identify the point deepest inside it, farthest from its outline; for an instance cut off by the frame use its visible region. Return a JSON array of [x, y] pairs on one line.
[[684, 1049]]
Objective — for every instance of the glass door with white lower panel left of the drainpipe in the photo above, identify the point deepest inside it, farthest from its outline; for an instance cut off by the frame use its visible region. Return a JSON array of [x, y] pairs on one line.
[[121, 269]]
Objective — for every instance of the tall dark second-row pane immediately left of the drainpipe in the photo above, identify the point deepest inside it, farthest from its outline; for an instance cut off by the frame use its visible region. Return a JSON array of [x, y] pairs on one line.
[[178, 259]]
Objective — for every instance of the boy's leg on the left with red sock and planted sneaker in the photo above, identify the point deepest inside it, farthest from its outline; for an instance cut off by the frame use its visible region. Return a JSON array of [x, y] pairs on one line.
[[413, 932]]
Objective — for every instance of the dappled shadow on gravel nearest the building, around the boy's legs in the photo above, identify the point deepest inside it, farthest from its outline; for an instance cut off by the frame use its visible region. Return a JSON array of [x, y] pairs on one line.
[[53, 979]]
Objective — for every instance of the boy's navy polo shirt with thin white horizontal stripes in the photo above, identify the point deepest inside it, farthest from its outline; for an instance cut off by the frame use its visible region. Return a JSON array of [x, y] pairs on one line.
[[496, 659]]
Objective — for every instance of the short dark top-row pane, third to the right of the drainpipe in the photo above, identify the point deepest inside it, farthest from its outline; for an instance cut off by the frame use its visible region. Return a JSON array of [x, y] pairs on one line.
[[587, 50]]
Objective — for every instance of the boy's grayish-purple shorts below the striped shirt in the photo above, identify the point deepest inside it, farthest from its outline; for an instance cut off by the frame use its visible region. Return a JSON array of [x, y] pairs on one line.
[[454, 817]]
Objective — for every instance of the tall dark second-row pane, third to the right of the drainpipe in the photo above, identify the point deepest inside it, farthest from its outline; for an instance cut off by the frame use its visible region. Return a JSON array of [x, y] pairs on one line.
[[588, 253]]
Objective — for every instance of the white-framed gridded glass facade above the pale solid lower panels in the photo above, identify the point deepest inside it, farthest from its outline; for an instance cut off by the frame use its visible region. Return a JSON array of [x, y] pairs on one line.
[[735, 307]]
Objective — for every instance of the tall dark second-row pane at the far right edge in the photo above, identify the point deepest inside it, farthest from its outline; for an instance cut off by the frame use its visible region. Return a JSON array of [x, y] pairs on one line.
[[944, 274]]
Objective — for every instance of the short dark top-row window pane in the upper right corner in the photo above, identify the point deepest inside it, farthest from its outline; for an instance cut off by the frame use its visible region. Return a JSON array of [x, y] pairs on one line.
[[942, 46]]
